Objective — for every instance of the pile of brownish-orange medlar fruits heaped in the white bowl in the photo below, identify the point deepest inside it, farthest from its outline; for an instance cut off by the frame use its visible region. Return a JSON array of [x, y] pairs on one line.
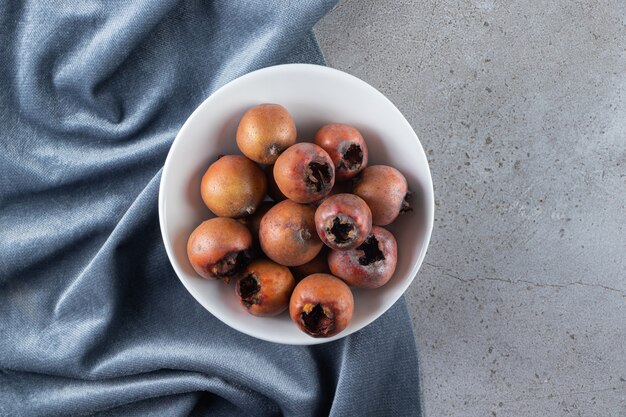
[[322, 228]]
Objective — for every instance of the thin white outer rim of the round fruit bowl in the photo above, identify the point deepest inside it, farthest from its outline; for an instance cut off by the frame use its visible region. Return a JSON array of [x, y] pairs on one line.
[[429, 205]]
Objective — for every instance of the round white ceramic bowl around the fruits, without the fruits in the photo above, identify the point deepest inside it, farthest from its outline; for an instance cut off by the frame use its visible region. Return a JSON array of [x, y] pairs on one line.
[[314, 95]]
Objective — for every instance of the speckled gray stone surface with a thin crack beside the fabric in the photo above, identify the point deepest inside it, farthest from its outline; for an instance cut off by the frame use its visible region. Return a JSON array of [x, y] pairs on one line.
[[520, 307]]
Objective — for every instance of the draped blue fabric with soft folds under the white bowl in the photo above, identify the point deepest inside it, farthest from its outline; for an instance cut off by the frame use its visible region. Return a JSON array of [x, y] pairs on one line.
[[93, 319]]
